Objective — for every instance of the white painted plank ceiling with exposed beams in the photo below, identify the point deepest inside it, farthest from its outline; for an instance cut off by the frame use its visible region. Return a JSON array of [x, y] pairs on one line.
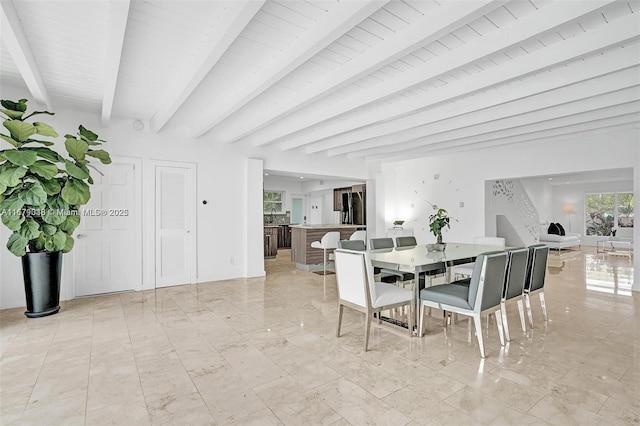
[[379, 80]]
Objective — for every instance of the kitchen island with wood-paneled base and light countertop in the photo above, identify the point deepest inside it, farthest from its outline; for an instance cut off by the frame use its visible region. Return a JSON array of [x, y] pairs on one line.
[[302, 236]]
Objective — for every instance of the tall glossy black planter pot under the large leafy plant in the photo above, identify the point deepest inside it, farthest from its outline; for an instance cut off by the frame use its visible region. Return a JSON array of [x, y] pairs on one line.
[[42, 273]]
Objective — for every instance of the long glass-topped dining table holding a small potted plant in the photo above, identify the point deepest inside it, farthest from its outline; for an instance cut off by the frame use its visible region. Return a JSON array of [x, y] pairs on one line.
[[419, 260]]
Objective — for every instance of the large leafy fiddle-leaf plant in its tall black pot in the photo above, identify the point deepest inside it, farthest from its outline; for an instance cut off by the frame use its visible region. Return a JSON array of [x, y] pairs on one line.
[[41, 192]]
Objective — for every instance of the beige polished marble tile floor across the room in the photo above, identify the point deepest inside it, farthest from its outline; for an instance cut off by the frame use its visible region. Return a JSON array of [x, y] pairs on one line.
[[264, 351]]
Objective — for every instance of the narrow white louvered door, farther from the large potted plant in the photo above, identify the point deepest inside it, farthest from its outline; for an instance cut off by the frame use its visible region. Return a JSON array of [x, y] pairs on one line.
[[175, 224]]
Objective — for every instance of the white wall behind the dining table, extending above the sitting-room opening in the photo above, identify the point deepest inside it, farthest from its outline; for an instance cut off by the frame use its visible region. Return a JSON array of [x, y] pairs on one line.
[[409, 186]]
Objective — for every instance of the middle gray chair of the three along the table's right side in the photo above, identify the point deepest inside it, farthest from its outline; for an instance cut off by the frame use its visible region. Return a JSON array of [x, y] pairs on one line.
[[515, 278]]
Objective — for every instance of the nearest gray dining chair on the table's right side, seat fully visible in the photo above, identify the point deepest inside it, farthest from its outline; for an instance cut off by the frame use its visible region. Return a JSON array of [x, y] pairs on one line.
[[483, 295]]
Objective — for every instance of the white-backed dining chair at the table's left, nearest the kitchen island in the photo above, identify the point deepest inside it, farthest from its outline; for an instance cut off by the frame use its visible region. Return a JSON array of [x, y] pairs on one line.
[[358, 290]]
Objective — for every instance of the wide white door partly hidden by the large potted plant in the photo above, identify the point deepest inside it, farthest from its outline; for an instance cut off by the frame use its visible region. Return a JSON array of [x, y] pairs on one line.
[[107, 252]]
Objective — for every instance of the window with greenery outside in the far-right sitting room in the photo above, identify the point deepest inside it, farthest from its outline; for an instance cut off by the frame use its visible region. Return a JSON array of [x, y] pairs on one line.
[[604, 212]]
